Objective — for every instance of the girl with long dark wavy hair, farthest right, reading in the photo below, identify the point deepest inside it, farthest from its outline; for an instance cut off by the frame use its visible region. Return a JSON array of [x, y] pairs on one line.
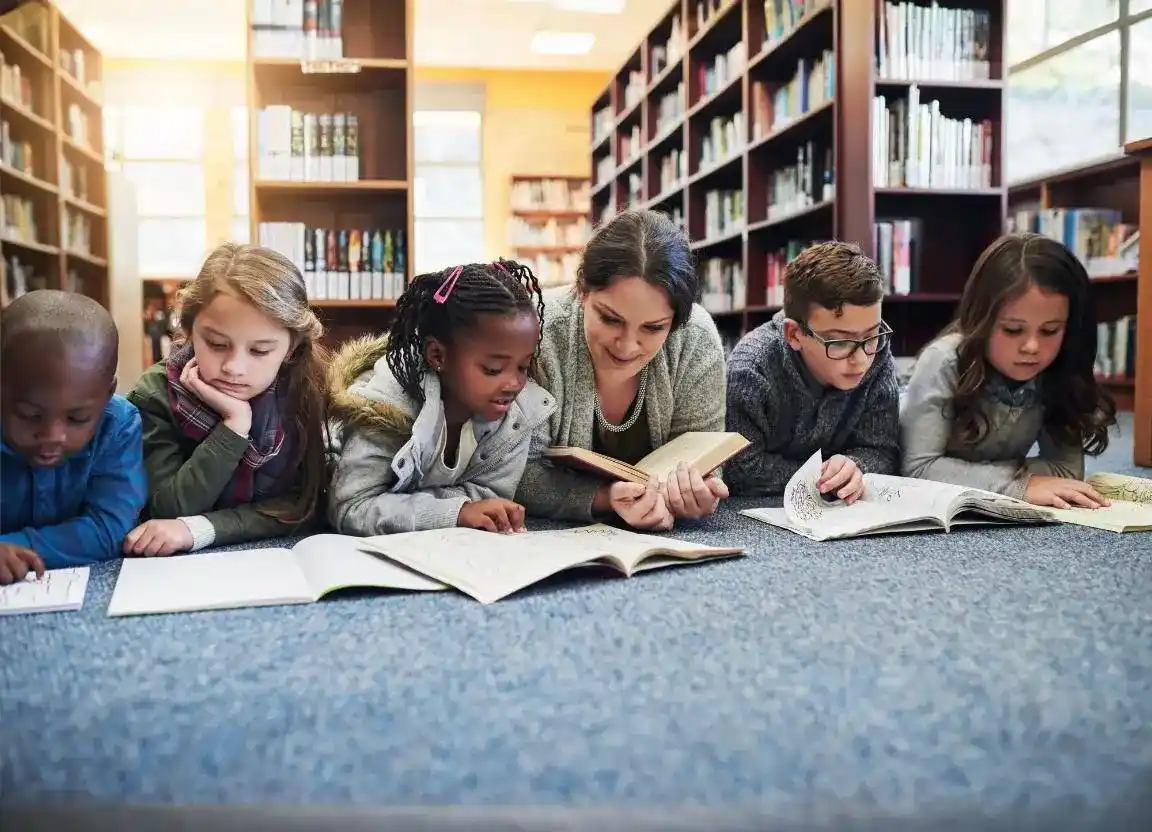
[[1017, 369]]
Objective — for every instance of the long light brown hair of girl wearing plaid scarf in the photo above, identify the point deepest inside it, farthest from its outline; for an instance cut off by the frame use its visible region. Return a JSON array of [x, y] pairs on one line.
[[270, 282]]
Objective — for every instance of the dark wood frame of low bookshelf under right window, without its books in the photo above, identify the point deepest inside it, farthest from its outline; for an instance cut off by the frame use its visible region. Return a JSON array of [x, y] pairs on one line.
[[1112, 184]]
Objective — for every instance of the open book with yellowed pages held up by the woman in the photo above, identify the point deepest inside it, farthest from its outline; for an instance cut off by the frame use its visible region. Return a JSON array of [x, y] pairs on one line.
[[702, 450]]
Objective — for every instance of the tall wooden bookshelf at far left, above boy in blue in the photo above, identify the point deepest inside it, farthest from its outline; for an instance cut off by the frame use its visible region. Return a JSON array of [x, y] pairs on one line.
[[54, 184]]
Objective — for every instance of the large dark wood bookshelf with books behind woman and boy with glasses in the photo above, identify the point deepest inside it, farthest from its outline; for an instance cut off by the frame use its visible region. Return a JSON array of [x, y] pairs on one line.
[[763, 126]]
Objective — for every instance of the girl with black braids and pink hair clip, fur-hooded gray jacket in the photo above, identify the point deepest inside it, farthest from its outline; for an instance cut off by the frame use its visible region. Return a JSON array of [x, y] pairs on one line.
[[435, 419]]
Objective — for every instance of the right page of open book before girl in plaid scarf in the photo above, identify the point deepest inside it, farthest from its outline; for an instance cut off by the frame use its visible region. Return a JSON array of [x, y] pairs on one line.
[[339, 562]]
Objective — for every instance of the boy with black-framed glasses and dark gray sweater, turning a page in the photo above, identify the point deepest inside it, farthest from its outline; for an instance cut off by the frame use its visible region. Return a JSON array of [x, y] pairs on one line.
[[818, 376]]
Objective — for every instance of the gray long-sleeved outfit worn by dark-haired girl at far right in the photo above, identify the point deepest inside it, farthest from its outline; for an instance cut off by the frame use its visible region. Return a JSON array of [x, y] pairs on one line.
[[999, 463]]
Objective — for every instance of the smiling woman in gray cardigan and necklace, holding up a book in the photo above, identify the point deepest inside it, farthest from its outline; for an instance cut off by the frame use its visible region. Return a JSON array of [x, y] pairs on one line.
[[634, 362]]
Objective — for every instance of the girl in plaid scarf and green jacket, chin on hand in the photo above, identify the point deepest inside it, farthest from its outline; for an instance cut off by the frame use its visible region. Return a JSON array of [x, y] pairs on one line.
[[234, 441]]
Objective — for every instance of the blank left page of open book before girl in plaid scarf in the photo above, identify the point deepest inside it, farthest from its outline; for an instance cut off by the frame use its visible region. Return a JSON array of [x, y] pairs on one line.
[[211, 581]]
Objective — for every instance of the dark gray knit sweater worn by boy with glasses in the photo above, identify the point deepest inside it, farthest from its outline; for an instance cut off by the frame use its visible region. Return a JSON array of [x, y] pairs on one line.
[[787, 415]]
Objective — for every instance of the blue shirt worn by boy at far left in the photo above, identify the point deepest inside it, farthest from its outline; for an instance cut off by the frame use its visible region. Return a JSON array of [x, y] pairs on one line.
[[80, 511]]
